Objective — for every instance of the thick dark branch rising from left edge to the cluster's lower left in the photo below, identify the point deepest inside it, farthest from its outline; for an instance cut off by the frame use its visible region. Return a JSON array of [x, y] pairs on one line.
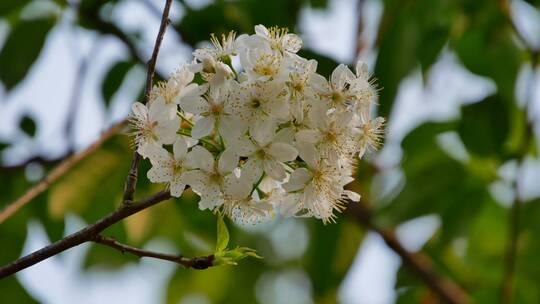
[[84, 235]]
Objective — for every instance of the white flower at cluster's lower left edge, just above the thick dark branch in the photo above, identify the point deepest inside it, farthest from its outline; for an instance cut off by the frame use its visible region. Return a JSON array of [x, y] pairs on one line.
[[170, 169]]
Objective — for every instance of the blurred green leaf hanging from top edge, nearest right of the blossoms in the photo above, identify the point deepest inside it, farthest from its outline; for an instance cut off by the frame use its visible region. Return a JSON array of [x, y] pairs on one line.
[[409, 37]]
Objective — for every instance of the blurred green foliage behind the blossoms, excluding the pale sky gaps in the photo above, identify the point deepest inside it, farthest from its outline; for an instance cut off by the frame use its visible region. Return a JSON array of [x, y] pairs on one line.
[[412, 34]]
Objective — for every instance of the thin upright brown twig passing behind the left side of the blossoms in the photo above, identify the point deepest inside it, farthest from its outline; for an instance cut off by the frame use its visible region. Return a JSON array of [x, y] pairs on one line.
[[131, 180]]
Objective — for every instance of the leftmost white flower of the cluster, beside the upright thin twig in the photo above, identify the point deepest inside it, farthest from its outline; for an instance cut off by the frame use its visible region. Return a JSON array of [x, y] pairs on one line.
[[153, 125]]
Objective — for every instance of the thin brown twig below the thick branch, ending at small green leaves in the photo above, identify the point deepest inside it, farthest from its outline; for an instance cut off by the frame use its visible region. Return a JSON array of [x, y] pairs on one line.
[[202, 262]]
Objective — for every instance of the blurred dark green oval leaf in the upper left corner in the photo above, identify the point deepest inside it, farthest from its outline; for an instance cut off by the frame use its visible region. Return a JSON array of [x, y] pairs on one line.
[[21, 50]]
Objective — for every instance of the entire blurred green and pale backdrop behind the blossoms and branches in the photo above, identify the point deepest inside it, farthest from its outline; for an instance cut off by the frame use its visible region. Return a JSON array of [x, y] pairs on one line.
[[457, 178]]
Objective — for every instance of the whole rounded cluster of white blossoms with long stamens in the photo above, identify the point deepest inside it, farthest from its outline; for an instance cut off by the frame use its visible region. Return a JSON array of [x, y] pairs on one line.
[[269, 137]]
